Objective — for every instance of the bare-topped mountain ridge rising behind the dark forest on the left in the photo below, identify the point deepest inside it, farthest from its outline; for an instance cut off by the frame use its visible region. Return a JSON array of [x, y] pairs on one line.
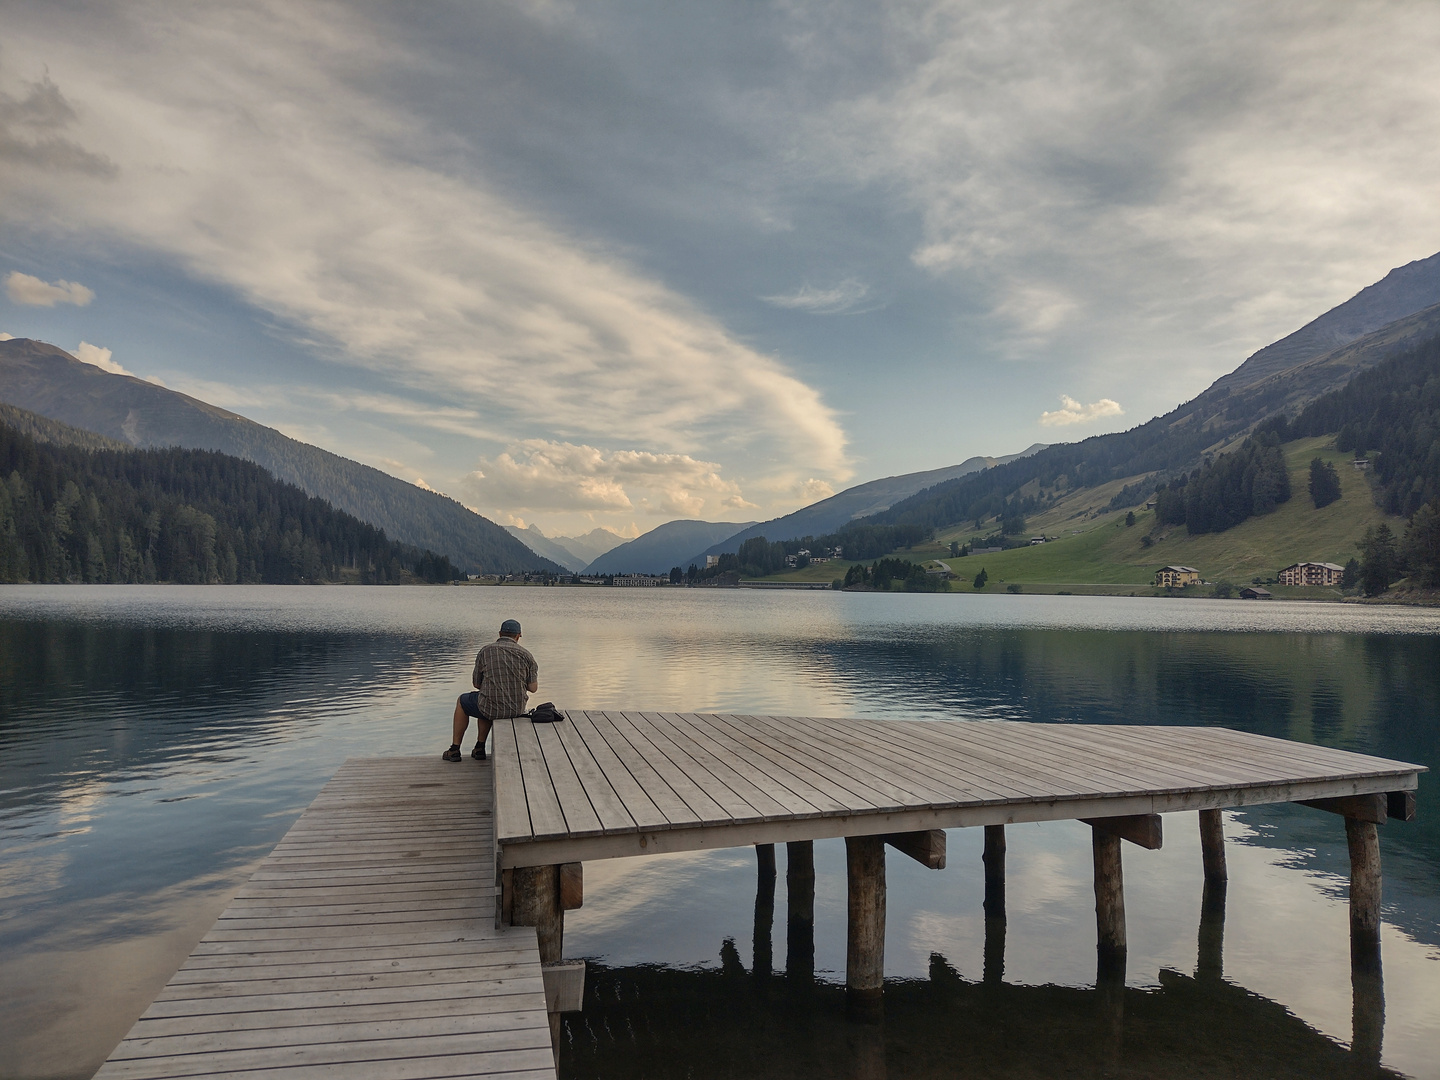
[[48, 381]]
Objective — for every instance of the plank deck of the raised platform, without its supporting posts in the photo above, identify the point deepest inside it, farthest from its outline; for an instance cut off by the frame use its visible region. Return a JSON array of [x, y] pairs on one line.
[[611, 784]]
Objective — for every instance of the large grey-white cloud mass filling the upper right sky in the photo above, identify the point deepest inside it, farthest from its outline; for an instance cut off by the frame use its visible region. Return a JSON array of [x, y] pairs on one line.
[[1207, 176]]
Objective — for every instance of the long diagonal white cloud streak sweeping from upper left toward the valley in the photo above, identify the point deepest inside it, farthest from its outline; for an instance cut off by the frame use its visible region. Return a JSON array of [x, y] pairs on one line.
[[248, 150]]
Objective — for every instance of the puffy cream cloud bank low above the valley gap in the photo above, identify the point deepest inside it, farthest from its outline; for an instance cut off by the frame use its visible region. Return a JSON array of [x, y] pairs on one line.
[[562, 477]]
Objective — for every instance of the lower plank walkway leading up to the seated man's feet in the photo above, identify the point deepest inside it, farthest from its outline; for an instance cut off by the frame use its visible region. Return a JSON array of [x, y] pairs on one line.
[[364, 948]]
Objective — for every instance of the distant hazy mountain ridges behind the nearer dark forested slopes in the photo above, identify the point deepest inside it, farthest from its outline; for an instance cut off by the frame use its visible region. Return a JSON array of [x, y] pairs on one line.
[[1278, 381]]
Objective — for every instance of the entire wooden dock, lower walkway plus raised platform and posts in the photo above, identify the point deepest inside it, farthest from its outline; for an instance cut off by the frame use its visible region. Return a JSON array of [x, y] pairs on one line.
[[377, 940]]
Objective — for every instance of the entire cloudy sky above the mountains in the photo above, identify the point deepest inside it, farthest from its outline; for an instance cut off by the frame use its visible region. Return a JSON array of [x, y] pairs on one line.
[[613, 264]]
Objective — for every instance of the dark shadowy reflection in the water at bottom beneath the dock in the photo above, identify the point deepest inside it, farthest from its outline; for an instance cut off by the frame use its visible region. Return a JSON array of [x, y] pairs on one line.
[[654, 1022]]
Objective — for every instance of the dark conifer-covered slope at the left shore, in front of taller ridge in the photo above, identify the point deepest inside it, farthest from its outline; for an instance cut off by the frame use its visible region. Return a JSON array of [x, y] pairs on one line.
[[132, 516]]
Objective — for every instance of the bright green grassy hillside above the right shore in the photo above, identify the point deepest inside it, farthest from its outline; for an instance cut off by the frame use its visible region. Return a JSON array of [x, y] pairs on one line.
[[1094, 548]]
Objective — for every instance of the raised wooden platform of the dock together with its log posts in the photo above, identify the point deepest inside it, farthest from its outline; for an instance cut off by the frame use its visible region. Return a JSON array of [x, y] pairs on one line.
[[613, 784]]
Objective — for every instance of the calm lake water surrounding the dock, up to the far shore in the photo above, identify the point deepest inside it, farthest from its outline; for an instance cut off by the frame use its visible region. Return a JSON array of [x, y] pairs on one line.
[[158, 742]]
